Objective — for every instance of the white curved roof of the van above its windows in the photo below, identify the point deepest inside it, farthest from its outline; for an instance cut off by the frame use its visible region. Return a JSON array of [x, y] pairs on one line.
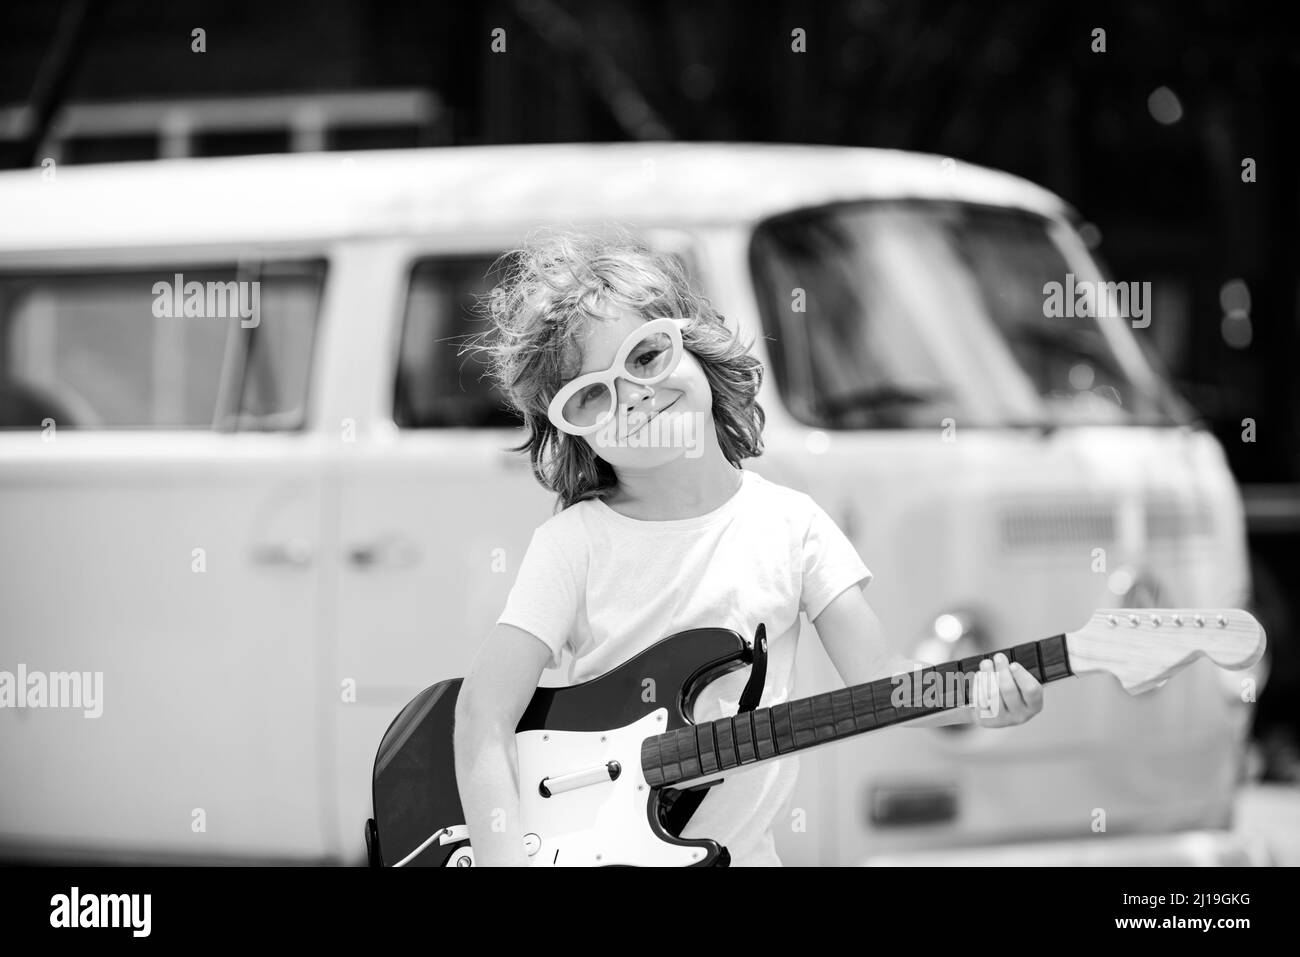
[[305, 197]]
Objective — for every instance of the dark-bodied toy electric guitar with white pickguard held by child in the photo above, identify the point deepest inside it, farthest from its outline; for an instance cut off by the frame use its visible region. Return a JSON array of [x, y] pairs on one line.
[[608, 778]]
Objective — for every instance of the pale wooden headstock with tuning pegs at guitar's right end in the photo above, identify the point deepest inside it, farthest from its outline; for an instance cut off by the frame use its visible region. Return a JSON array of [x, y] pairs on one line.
[[1145, 647]]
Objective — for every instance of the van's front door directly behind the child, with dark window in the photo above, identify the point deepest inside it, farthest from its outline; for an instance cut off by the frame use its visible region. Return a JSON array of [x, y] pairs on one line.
[[435, 512]]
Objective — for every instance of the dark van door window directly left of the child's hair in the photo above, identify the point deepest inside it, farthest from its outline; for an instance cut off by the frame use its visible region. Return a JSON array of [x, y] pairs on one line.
[[441, 384]]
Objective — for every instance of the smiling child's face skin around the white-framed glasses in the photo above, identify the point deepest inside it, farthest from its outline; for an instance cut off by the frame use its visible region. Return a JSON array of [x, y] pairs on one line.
[[655, 423]]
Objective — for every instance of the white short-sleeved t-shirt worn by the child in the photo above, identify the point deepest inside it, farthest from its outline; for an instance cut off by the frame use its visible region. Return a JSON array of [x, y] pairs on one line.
[[608, 587]]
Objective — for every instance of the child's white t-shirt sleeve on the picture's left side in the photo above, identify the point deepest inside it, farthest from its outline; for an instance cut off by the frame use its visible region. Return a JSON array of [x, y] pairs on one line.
[[544, 600]]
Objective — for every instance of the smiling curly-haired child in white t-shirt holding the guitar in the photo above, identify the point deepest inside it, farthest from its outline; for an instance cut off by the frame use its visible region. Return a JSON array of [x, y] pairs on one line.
[[640, 406]]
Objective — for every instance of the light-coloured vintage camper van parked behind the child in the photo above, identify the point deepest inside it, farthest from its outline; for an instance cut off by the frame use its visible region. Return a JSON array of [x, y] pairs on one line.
[[267, 536]]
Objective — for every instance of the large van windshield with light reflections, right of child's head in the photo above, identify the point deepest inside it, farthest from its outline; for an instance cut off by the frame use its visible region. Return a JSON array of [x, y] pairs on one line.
[[907, 314]]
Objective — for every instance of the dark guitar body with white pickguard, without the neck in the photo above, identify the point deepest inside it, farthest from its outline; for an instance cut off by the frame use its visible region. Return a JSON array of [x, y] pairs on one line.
[[582, 744]]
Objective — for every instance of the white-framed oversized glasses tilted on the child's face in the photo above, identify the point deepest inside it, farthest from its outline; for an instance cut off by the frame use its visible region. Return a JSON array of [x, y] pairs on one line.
[[648, 356]]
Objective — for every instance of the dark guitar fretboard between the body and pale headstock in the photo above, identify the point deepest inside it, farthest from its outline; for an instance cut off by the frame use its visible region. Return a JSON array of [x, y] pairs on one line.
[[772, 733]]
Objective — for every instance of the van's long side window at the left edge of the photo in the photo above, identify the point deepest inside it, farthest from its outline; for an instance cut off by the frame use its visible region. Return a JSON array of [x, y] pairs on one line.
[[167, 348]]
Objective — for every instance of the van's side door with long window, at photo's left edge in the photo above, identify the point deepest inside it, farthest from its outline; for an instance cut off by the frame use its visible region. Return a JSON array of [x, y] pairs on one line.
[[162, 509]]
